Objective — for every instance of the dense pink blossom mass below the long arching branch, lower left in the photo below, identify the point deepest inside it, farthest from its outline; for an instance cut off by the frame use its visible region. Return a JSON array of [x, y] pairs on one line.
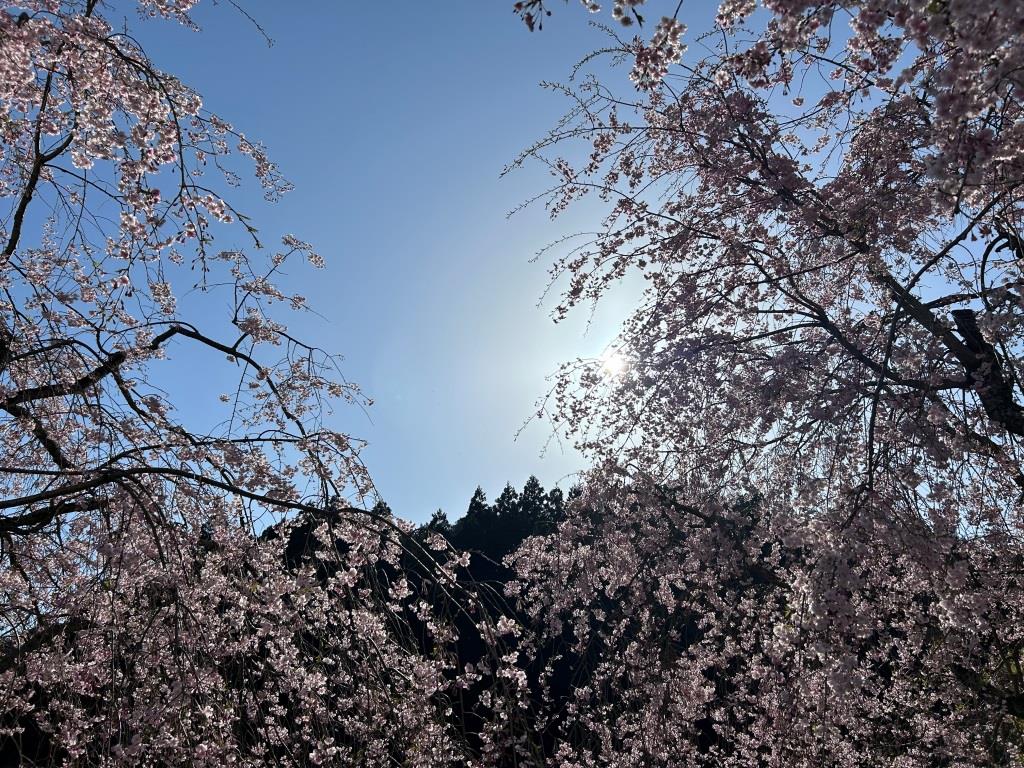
[[207, 648]]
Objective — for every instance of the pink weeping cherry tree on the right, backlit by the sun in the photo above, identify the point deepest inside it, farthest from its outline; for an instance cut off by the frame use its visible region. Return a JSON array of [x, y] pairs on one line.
[[826, 211]]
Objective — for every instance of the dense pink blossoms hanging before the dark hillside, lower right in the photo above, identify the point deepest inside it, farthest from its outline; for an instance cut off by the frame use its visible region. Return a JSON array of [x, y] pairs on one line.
[[707, 633]]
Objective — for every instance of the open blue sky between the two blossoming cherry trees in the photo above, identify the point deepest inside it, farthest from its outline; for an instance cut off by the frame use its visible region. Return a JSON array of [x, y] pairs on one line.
[[394, 120]]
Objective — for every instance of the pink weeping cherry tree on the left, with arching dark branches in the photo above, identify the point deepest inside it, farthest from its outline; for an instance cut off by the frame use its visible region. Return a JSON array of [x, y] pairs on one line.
[[152, 609]]
